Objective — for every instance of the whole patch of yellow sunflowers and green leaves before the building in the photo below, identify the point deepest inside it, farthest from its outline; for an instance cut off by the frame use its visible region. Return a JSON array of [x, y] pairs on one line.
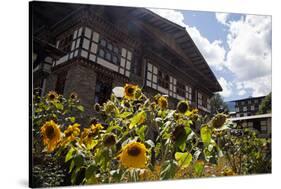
[[133, 138]]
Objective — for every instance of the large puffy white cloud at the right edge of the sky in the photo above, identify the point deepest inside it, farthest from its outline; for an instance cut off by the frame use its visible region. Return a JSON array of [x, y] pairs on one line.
[[249, 56]]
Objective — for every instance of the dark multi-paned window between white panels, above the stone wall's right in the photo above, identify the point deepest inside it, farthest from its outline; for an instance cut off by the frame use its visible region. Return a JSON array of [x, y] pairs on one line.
[[109, 51]]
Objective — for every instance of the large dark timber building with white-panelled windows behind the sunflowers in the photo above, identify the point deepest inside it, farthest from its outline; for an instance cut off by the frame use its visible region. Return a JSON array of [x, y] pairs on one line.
[[108, 46]]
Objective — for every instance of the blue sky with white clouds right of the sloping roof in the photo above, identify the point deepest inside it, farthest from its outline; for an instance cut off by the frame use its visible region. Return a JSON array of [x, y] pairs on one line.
[[237, 48]]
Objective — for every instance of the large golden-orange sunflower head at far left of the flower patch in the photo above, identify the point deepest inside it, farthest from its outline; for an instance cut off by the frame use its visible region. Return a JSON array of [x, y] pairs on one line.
[[51, 134]]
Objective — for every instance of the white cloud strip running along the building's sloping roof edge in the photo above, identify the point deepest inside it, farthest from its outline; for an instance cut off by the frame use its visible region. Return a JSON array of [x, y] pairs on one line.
[[213, 52]]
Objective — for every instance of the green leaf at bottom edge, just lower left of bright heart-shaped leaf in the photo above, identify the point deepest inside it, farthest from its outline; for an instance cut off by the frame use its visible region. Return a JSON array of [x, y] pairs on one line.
[[168, 170]]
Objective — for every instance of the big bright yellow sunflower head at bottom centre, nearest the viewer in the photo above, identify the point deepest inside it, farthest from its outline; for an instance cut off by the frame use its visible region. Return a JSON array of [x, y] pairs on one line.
[[133, 155]]
